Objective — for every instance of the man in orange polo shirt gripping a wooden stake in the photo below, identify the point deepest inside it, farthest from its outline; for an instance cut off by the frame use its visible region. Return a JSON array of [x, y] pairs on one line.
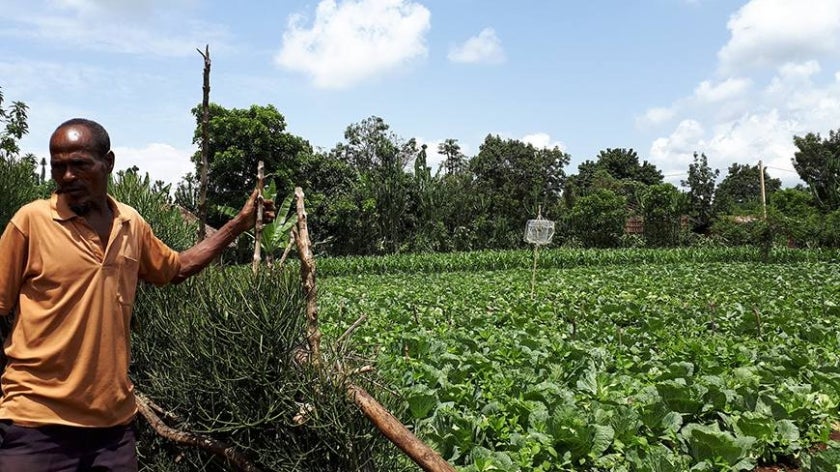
[[69, 268]]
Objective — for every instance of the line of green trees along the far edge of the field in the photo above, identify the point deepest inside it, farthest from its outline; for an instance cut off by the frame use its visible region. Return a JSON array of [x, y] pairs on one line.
[[376, 193]]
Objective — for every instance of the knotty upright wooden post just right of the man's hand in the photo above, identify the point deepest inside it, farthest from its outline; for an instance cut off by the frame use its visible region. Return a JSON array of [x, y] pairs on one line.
[[307, 273]]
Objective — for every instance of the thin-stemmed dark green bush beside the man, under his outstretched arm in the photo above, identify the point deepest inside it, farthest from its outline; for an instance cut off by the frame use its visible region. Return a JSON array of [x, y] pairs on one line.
[[217, 351]]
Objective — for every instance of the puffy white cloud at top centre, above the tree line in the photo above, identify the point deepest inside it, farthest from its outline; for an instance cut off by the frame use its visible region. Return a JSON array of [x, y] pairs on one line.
[[354, 40]]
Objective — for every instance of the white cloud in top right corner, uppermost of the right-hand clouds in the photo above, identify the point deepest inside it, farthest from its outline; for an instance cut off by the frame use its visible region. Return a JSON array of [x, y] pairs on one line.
[[768, 32]]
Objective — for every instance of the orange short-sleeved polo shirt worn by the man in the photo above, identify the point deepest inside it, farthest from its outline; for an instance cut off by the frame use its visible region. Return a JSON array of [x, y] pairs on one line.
[[68, 351]]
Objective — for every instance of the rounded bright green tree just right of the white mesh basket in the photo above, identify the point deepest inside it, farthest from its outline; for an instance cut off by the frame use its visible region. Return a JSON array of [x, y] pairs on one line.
[[598, 219]]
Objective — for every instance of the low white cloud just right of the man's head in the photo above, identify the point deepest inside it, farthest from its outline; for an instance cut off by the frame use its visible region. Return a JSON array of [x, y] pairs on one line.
[[161, 161]]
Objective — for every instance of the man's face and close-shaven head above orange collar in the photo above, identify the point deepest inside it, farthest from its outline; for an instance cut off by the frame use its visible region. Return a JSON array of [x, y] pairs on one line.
[[80, 174]]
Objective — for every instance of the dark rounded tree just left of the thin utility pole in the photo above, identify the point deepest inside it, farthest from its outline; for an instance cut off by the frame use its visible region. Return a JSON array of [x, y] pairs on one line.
[[740, 190]]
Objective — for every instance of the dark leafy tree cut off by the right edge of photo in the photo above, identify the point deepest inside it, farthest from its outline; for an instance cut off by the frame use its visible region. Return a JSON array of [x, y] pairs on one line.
[[818, 163]]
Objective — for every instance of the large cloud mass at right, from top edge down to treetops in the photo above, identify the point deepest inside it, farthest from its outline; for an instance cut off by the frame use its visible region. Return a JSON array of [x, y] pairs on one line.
[[745, 114]]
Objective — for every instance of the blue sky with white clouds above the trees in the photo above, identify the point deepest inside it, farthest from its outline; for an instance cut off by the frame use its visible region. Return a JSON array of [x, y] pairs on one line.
[[735, 80]]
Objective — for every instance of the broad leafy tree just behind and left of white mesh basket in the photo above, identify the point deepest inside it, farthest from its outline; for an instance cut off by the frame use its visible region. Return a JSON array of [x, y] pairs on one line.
[[513, 180]]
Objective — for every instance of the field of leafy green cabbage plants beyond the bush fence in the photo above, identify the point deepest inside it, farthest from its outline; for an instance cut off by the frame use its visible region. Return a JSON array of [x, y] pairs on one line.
[[648, 365]]
